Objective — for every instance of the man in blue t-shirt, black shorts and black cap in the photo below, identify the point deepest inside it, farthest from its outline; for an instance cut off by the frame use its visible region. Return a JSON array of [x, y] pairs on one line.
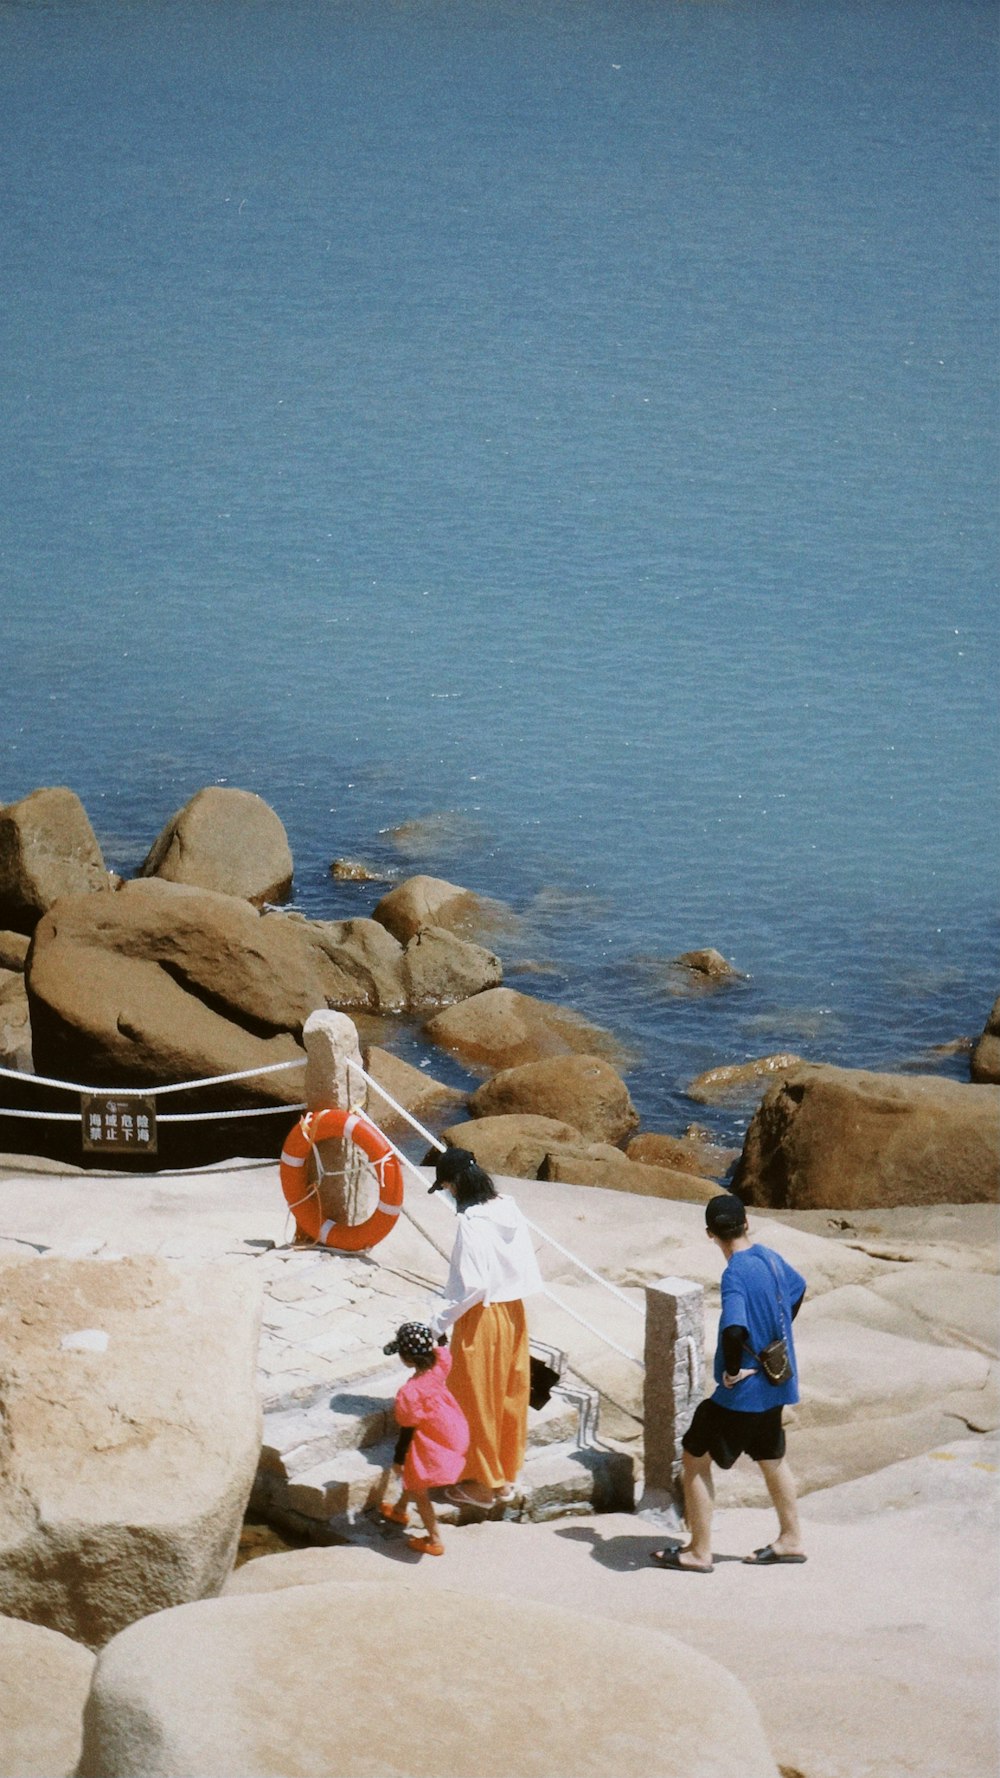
[[761, 1299]]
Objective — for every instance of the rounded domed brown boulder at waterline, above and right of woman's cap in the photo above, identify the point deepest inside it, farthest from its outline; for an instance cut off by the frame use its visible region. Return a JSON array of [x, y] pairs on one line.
[[585, 1093]]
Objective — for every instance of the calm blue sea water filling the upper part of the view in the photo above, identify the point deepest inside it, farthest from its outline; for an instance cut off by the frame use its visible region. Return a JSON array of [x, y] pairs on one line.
[[570, 428]]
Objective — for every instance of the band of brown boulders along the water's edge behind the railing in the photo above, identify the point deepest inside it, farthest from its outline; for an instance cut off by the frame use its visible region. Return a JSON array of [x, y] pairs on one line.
[[191, 972]]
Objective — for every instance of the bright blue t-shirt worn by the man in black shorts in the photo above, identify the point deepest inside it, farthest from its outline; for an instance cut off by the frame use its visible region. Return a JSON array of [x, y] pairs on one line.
[[759, 1293]]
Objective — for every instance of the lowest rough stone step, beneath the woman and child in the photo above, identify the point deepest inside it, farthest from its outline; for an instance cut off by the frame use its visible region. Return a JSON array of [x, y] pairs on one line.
[[328, 1503]]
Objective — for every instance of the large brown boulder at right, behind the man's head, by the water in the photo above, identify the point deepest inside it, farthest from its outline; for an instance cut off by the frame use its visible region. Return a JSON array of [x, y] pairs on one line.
[[844, 1139]]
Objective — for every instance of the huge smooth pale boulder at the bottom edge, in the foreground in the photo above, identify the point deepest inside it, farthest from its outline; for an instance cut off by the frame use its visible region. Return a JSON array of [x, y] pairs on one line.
[[497, 1688]]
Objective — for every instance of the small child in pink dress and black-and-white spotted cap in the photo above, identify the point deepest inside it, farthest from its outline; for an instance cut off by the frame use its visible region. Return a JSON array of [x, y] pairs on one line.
[[435, 1454]]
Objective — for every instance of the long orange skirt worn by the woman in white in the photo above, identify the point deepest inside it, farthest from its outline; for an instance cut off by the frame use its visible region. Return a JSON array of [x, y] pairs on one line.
[[492, 1382]]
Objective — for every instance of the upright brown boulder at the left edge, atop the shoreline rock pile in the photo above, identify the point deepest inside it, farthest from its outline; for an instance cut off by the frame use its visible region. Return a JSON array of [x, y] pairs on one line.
[[47, 851]]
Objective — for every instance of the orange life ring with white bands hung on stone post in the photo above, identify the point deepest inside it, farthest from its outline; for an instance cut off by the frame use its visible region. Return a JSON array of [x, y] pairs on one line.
[[307, 1208]]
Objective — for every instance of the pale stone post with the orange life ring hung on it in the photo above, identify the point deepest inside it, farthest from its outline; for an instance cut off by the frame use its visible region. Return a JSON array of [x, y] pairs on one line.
[[348, 1185]]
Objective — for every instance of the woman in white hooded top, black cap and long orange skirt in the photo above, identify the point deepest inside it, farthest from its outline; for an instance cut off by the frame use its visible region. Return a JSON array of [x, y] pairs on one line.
[[494, 1269]]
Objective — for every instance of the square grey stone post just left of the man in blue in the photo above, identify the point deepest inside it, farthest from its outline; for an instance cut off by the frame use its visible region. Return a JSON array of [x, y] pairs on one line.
[[675, 1382]]
